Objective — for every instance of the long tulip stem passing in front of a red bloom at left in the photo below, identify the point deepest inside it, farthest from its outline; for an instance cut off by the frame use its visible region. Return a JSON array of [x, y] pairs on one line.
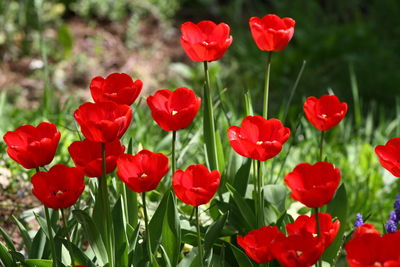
[[106, 208]]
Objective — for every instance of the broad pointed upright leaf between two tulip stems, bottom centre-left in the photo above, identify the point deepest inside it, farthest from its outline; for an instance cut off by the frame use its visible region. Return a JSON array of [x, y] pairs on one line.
[[171, 232]]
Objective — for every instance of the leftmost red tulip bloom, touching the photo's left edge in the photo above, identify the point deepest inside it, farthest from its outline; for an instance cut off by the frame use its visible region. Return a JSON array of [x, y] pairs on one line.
[[31, 146]]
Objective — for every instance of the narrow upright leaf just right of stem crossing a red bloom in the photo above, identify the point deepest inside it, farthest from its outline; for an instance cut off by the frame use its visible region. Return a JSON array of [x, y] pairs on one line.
[[121, 239]]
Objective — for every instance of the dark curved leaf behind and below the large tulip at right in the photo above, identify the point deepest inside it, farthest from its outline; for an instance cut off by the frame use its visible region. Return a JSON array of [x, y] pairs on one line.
[[337, 208]]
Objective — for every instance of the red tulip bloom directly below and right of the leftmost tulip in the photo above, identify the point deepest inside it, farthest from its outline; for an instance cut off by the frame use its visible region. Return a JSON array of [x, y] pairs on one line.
[[58, 188]]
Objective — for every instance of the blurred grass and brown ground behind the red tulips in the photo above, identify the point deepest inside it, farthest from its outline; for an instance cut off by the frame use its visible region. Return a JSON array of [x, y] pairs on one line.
[[51, 49]]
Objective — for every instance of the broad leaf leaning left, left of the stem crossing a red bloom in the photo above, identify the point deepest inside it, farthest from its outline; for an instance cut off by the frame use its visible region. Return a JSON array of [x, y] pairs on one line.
[[92, 234]]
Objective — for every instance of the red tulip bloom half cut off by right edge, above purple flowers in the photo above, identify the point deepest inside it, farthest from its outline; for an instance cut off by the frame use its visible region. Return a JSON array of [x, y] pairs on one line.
[[389, 156]]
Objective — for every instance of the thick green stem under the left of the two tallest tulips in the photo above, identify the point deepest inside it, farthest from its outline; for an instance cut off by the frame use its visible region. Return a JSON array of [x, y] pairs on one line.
[[211, 147]]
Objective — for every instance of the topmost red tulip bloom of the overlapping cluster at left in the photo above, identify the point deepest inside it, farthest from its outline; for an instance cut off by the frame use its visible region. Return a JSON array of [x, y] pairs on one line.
[[117, 87]]
